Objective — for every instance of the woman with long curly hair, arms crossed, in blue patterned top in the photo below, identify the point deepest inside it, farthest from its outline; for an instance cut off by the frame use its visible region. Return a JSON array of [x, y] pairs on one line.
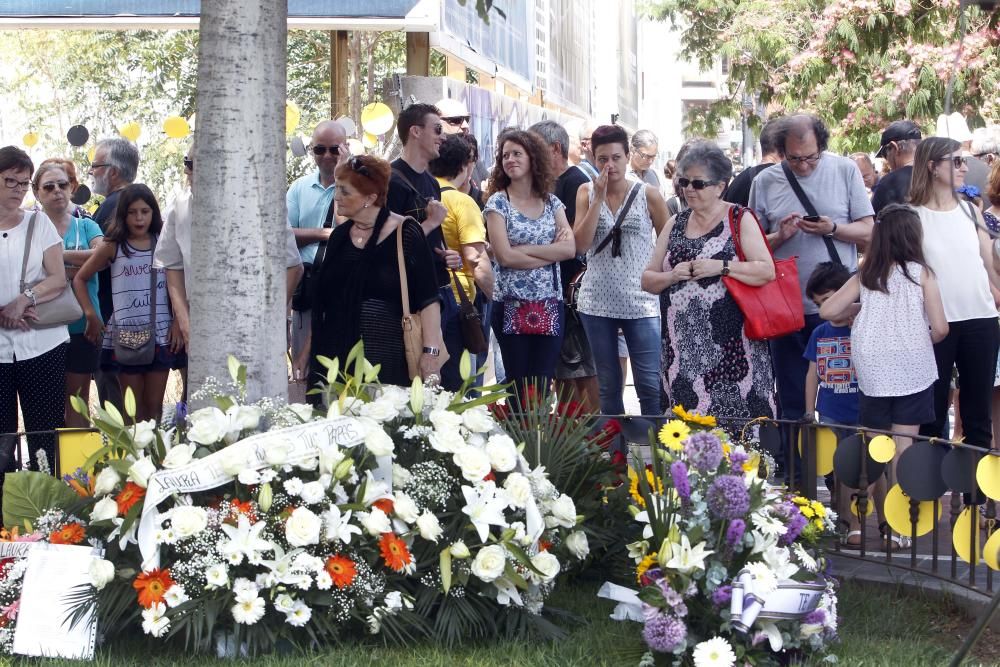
[[530, 235]]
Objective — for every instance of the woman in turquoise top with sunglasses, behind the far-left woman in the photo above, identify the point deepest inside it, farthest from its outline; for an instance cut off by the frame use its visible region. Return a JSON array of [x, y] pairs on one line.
[[53, 185]]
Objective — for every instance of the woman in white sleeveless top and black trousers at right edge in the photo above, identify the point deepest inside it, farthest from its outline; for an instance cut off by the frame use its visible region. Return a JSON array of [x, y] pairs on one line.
[[959, 252]]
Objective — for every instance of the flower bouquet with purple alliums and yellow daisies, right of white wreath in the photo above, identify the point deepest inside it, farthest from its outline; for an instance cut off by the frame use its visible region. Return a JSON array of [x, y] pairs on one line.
[[730, 567]]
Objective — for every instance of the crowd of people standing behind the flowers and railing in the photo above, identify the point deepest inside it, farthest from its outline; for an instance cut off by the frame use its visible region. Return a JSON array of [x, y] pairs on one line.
[[573, 257]]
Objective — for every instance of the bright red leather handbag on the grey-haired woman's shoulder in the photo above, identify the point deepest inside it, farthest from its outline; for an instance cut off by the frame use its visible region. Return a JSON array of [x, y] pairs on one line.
[[773, 309]]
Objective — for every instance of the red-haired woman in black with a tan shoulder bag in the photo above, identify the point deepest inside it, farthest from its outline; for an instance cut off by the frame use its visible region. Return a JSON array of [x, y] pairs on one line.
[[358, 288]]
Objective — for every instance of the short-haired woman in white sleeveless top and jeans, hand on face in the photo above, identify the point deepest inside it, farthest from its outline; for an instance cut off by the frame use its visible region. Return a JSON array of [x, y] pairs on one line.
[[616, 221]]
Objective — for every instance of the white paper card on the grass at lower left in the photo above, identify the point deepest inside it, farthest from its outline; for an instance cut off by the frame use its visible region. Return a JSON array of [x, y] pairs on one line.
[[43, 620]]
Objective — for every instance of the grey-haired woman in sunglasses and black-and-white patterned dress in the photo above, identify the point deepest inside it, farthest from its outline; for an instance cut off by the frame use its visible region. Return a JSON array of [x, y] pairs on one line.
[[709, 364]]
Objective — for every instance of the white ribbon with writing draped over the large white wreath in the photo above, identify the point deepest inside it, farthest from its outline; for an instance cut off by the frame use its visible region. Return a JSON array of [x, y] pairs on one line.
[[301, 443]]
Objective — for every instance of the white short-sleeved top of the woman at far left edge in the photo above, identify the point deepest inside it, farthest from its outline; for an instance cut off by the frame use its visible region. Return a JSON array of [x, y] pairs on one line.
[[16, 344]]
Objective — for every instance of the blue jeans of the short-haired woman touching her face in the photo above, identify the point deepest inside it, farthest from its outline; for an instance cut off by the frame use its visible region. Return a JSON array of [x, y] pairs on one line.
[[643, 338]]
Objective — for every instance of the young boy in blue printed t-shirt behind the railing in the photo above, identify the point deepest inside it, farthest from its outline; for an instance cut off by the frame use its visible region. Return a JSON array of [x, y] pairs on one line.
[[832, 386]]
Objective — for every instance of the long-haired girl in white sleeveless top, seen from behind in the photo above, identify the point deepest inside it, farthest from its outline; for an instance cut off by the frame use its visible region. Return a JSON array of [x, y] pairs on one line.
[[901, 318]]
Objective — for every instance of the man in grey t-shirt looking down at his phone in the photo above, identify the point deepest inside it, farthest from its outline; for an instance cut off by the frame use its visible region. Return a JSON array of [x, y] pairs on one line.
[[814, 207]]
